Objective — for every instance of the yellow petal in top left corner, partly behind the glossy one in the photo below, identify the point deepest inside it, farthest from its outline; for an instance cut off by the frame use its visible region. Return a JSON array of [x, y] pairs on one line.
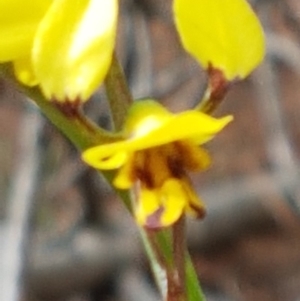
[[18, 23]]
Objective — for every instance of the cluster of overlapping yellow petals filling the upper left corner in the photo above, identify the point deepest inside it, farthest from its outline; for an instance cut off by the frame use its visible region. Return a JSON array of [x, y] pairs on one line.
[[65, 46]]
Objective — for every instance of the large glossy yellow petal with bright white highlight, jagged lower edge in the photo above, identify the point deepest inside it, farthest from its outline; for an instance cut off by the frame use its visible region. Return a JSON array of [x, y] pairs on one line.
[[73, 47]]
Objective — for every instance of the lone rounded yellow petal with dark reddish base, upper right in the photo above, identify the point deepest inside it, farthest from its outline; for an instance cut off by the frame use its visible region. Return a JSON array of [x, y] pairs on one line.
[[221, 34]]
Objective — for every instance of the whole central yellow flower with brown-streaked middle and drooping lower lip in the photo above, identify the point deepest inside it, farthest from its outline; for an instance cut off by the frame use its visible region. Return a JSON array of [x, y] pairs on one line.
[[158, 151]]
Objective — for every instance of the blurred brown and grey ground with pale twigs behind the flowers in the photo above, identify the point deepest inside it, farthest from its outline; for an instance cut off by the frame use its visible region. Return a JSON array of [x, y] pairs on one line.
[[73, 240]]
